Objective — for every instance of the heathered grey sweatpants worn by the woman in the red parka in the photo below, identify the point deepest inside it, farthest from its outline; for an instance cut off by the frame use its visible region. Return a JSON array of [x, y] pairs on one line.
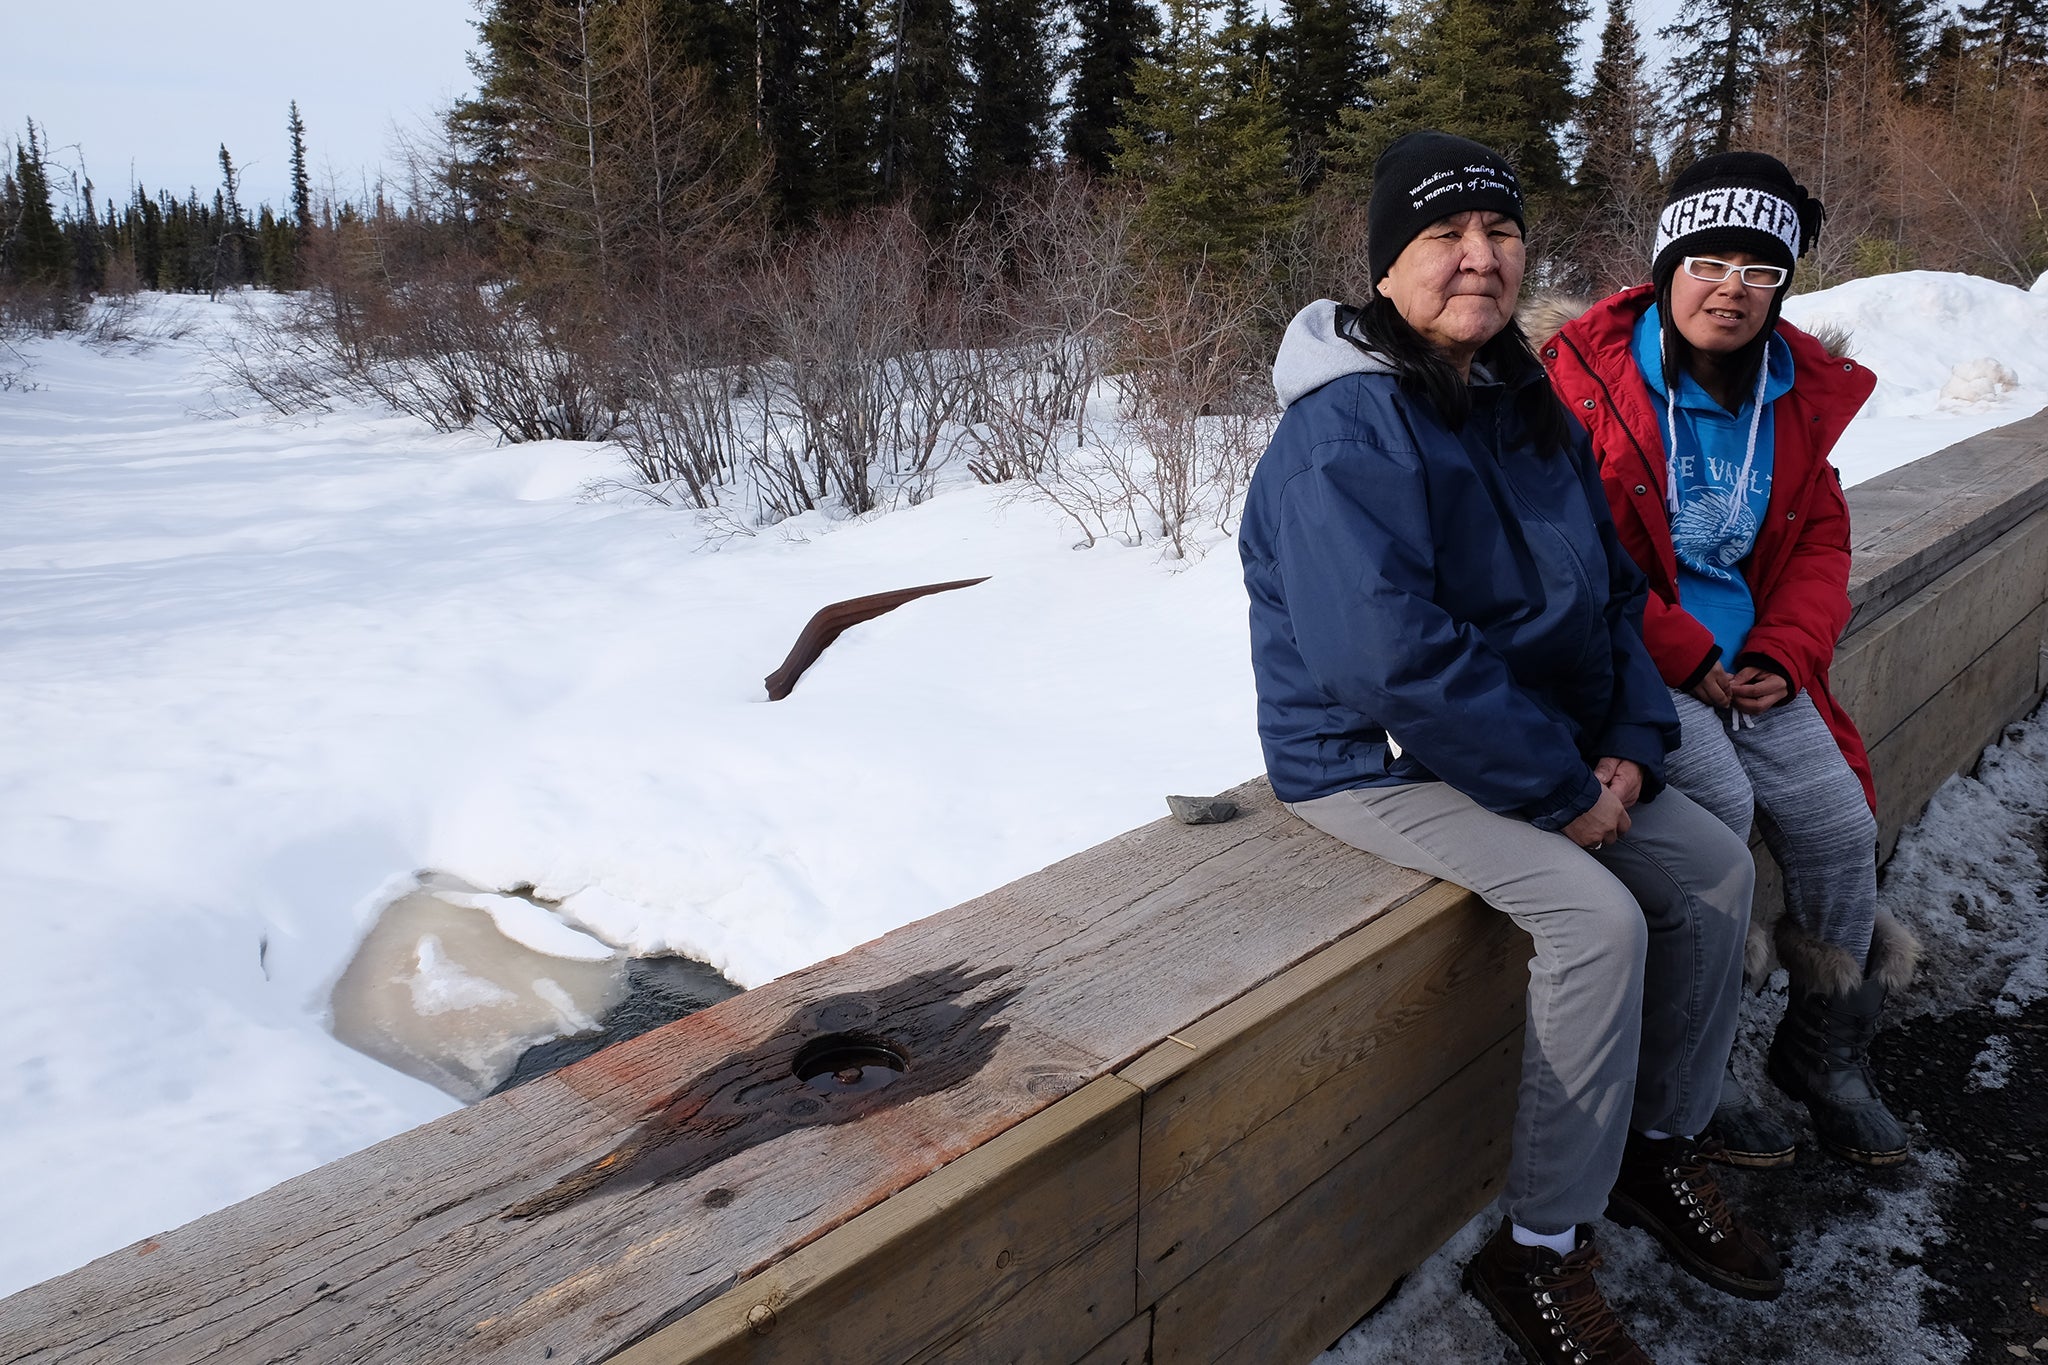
[[1816, 820]]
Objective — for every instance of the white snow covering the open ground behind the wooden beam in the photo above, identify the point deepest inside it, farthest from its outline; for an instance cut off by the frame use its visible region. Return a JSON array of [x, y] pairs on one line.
[[261, 674]]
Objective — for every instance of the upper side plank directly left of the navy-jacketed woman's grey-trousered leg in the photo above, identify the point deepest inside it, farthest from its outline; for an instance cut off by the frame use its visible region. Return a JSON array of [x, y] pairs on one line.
[[1302, 1073]]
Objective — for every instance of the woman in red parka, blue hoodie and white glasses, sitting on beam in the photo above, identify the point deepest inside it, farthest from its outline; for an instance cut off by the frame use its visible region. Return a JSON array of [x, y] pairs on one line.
[[1713, 423]]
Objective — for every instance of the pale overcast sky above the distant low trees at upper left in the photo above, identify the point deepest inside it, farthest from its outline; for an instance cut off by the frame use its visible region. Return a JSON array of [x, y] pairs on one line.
[[151, 91]]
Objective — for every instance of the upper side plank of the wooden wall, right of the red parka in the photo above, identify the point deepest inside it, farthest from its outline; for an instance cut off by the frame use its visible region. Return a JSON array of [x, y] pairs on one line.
[[1887, 672]]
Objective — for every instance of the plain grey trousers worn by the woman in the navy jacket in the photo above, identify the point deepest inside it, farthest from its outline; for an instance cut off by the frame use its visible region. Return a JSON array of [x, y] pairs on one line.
[[1633, 987]]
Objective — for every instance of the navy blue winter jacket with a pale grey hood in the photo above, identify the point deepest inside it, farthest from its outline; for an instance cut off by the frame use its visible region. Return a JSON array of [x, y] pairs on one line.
[[1455, 590]]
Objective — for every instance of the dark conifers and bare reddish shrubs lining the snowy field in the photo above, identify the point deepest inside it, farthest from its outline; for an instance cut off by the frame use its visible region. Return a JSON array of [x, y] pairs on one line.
[[804, 253]]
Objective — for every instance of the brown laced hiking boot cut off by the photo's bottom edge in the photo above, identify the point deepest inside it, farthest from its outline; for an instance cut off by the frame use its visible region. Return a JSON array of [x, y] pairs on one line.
[[1549, 1305]]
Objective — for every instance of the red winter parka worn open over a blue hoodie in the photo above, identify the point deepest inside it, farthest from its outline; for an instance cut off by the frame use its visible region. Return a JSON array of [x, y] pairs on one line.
[[1799, 568]]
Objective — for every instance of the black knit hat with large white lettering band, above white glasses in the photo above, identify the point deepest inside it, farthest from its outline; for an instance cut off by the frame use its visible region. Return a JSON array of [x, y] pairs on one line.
[[1736, 202]]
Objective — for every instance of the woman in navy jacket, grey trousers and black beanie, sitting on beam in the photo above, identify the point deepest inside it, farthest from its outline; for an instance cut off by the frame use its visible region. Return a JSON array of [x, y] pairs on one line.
[[1451, 674]]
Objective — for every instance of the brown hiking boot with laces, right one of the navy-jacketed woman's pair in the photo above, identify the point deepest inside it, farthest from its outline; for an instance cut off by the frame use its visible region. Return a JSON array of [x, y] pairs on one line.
[[1668, 1190]]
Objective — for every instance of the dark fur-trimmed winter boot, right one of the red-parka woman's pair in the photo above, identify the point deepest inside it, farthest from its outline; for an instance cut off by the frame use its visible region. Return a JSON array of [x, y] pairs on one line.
[[1822, 1053]]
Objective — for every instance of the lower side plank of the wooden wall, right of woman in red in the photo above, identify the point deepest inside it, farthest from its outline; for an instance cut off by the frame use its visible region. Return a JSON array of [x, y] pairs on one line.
[[1949, 732]]
